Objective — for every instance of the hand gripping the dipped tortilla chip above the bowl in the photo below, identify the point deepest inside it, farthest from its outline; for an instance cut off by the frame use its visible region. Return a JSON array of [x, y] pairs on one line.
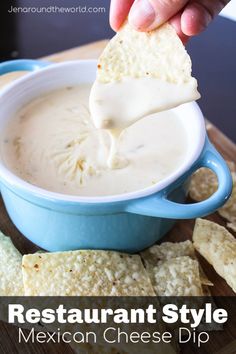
[[188, 17]]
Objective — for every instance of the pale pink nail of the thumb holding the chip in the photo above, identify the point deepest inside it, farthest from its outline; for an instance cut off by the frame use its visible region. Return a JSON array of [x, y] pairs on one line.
[[142, 14]]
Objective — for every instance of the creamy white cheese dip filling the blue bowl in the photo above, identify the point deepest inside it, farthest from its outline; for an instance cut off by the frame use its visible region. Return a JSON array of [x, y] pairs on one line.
[[52, 143]]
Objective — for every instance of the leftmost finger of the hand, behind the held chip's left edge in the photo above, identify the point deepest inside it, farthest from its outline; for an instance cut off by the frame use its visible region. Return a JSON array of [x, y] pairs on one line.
[[119, 10]]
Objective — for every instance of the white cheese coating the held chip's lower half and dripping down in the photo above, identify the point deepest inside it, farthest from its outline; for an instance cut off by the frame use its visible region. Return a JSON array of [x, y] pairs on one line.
[[117, 105]]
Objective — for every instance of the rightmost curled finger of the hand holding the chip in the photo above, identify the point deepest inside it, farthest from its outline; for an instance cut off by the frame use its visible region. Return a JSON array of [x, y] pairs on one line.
[[197, 15]]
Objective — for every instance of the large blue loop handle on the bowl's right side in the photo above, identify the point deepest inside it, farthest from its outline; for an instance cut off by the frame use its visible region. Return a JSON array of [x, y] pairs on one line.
[[158, 205]]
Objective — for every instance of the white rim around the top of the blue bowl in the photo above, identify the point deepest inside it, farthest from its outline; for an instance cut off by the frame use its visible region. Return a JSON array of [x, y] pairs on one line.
[[16, 182]]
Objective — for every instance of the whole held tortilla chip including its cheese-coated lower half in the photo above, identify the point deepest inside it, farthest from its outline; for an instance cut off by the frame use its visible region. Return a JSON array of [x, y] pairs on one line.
[[141, 73]]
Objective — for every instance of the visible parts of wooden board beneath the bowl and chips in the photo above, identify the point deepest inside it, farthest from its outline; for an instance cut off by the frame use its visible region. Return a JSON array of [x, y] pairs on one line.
[[181, 231]]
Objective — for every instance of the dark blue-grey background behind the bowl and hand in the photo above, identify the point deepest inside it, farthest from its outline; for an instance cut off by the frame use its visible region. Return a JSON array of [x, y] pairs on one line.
[[213, 52]]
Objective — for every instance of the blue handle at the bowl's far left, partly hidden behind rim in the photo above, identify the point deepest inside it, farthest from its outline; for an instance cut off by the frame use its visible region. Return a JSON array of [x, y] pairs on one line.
[[21, 65]]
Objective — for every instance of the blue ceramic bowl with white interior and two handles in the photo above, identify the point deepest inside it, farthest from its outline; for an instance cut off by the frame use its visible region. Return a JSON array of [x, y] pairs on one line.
[[128, 222]]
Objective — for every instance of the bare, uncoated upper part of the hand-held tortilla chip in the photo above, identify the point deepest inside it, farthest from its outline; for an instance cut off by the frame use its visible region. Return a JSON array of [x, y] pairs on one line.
[[158, 54]]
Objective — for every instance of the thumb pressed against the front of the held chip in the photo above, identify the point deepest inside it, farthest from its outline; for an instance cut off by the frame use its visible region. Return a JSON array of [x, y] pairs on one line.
[[146, 15]]
